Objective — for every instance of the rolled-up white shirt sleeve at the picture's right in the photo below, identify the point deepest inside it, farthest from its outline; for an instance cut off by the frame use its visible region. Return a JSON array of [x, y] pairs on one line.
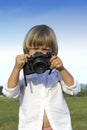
[[71, 90]]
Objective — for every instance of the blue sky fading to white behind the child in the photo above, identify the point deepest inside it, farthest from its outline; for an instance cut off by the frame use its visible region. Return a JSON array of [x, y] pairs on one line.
[[68, 18]]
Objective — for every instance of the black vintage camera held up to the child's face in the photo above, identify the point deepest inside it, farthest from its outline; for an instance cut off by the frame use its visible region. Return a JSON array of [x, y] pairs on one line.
[[38, 63]]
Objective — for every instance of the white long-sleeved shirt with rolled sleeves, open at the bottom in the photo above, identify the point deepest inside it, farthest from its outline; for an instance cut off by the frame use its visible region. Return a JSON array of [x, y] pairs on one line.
[[43, 92]]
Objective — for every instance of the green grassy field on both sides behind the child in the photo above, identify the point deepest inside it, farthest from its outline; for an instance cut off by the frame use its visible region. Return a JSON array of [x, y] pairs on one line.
[[77, 105]]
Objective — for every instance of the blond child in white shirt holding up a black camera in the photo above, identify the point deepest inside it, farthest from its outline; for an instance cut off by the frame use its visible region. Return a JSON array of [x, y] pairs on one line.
[[42, 104]]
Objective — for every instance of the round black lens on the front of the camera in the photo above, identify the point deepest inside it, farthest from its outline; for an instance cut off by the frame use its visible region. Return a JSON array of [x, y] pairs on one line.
[[39, 66]]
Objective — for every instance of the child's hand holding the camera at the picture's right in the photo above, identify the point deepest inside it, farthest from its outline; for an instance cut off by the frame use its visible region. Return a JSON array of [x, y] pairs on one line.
[[56, 63]]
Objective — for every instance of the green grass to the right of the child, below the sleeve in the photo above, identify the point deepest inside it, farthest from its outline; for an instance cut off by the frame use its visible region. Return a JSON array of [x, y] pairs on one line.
[[78, 110]]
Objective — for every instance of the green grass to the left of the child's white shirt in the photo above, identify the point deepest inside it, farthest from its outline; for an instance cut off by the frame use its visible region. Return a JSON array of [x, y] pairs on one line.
[[8, 113]]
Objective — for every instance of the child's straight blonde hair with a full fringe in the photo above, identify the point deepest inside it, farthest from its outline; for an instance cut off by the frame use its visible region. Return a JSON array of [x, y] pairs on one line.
[[40, 35]]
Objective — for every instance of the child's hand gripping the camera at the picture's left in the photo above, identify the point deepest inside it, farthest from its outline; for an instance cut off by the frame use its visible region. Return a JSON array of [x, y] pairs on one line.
[[21, 60]]
